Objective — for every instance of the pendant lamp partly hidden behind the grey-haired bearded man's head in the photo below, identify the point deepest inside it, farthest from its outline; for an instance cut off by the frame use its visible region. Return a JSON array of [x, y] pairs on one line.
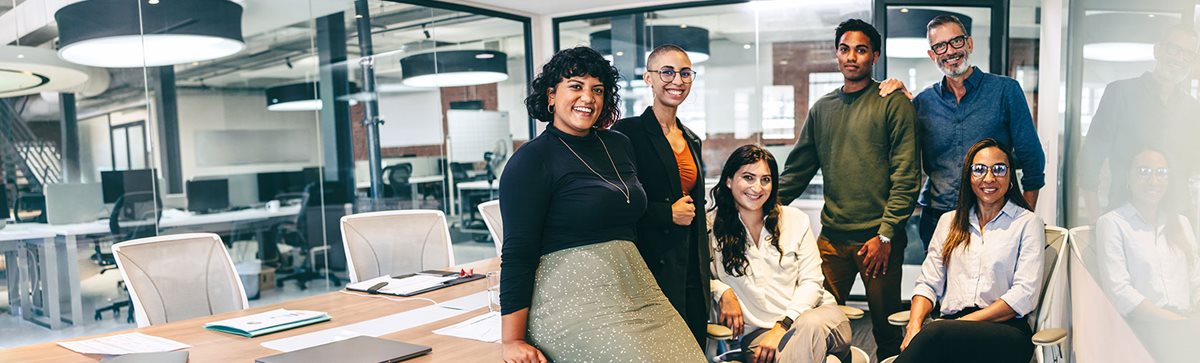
[[907, 31]]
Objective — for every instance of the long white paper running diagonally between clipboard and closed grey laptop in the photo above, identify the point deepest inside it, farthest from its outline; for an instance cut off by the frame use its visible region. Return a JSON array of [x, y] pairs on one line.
[[382, 326]]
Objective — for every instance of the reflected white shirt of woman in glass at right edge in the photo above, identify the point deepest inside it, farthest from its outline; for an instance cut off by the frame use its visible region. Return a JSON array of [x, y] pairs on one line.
[[1139, 264]]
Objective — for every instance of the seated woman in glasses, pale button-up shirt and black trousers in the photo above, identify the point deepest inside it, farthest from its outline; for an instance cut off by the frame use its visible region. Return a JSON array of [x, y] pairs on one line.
[[985, 267]]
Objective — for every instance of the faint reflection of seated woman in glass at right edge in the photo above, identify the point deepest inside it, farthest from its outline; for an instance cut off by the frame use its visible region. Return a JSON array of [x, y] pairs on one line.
[[1148, 255]]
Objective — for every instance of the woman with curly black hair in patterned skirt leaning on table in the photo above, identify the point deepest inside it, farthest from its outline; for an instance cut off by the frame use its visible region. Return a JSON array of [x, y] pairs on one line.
[[574, 288]]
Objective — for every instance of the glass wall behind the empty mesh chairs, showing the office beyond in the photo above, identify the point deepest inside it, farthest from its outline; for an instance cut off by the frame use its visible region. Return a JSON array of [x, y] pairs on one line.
[[263, 133]]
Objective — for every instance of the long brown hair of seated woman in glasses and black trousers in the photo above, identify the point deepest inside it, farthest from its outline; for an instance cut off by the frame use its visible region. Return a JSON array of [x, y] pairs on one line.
[[961, 228]]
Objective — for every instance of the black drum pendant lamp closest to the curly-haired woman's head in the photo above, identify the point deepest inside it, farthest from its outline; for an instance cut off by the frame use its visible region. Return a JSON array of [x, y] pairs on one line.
[[454, 69]]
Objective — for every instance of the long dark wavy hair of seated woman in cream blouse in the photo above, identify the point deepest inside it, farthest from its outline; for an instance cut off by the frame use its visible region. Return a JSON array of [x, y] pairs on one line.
[[728, 229]]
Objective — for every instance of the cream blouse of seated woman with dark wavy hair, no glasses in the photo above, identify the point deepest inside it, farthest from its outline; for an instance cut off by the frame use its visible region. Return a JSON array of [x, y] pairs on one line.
[[775, 284]]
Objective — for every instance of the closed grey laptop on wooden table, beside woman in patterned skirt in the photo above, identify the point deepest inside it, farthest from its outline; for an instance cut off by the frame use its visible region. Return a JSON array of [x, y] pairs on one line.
[[355, 350]]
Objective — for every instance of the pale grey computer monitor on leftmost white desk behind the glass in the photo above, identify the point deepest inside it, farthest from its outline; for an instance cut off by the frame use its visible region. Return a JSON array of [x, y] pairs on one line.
[[74, 204]]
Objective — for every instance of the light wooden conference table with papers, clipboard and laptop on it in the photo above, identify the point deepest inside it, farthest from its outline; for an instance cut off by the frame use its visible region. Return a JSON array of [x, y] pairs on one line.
[[345, 310]]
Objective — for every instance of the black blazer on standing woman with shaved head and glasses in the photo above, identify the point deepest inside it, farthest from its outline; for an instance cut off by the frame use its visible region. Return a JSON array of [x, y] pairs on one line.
[[665, 246]]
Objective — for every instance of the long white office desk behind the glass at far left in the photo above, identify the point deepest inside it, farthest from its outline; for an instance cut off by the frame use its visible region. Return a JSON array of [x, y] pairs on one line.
[[65, 282]]
